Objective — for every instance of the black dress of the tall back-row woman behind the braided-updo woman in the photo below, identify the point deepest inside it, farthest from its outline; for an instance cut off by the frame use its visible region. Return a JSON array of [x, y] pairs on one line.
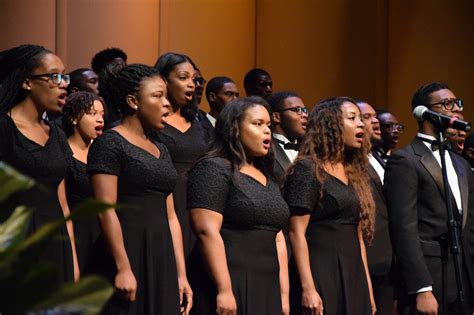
[[185, 148]]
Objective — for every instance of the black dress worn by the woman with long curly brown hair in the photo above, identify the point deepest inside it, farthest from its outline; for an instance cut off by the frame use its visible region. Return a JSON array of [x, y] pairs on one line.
[[333, 245]]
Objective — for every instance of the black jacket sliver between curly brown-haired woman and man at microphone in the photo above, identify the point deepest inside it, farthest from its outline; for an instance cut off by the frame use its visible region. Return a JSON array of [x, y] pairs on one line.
[[380, 252]]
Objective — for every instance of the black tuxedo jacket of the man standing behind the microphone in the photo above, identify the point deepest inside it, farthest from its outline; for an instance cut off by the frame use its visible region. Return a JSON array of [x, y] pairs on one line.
[[413, 187]]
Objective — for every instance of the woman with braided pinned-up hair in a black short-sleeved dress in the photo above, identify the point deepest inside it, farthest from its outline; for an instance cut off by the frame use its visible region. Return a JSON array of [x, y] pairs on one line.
[[143, 235]]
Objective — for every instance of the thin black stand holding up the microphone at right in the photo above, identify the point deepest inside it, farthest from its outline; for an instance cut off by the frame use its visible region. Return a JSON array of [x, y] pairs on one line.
[[453, 240]]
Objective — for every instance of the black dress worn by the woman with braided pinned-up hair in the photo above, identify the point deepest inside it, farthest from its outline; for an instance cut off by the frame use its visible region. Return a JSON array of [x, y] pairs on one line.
[[144, 182]]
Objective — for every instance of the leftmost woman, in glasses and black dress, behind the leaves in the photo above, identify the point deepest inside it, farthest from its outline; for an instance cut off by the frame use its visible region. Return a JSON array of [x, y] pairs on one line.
[[32, 81]]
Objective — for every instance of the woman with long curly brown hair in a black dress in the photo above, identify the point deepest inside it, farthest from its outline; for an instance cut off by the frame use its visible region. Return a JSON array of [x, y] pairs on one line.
[[331, 212]]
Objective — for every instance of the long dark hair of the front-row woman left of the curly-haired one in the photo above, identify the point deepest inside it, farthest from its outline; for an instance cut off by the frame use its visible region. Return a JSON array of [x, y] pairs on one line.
[[227, 142]]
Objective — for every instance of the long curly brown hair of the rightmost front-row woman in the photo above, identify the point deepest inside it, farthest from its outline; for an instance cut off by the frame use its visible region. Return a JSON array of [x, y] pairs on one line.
[[324, 143]]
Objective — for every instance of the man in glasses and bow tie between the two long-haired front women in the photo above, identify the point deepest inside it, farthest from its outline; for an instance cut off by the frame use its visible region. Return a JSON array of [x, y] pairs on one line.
[[289, 119]]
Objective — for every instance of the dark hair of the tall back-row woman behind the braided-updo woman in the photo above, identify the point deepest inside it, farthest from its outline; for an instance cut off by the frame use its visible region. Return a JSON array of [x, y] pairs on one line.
[[165, 65]]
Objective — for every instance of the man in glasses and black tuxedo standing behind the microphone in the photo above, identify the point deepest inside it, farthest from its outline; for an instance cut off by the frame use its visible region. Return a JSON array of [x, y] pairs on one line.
[[417, 211]]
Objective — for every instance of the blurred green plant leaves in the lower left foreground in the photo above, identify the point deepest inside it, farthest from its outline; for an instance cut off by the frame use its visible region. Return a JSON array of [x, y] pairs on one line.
[[26, 286]]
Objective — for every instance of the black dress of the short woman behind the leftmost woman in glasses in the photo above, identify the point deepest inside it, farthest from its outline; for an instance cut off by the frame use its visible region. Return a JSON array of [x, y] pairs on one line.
[[86, 229]]
